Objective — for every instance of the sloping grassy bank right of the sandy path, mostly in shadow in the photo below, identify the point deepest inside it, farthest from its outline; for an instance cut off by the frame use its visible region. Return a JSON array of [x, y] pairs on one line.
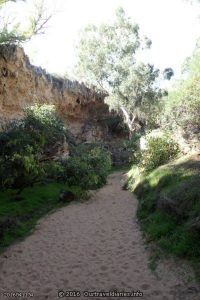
[[169, 200]]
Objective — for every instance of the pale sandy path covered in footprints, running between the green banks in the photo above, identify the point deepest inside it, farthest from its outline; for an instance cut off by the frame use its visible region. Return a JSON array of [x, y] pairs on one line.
[[93, 245]]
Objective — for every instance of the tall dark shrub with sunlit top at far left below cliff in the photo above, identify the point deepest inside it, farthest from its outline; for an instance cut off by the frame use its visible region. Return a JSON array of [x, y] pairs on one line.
[[25, 143]]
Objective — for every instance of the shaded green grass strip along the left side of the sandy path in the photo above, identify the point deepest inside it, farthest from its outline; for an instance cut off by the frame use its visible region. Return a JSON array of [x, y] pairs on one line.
[[19, 213]]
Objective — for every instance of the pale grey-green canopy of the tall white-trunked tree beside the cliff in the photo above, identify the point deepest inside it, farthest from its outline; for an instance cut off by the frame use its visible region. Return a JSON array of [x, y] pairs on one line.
[[108, 58]]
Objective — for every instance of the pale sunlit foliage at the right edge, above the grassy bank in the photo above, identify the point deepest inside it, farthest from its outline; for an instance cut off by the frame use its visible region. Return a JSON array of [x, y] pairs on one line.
[[182, 105]]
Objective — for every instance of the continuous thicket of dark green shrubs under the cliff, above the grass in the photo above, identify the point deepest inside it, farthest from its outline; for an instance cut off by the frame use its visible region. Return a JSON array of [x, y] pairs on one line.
[[28, 146]]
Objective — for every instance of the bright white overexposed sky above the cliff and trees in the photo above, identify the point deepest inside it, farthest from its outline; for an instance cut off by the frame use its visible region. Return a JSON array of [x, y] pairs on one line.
[[172, 25]]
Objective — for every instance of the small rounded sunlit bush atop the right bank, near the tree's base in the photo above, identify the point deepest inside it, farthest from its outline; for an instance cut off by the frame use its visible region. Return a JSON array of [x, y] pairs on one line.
[[160, 150]]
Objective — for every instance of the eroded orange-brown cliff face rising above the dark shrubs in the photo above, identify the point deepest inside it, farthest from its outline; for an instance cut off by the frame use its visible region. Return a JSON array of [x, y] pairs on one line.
[[22, 84]]
